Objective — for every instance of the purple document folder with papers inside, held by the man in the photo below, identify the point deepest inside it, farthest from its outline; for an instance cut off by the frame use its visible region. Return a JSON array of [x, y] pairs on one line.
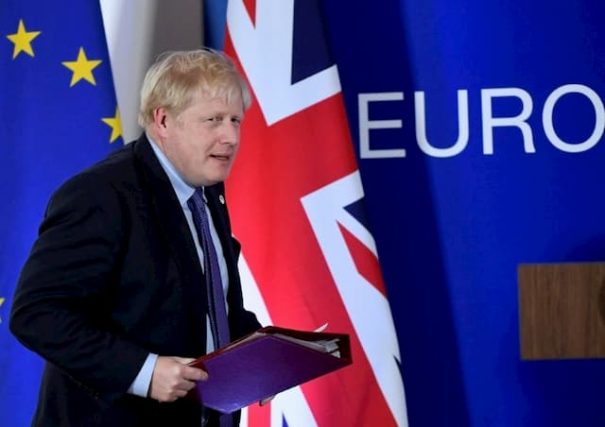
[[265, 363]]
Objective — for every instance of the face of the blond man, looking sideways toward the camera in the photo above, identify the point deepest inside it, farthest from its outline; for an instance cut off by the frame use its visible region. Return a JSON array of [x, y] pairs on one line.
[[202, 141]]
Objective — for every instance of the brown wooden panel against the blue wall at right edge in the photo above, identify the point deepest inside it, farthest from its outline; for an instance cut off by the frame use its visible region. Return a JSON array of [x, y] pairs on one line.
[[562, 310]]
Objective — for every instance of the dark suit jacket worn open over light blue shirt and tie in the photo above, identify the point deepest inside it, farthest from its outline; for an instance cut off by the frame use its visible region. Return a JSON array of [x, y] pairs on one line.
[[113, 276]]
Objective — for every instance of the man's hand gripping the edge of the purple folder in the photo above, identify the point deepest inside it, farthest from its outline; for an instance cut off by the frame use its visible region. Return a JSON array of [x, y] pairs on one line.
[[172, 378]]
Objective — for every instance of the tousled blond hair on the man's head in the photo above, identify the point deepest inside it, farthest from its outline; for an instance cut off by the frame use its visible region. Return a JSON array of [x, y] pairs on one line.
[[176, 77]]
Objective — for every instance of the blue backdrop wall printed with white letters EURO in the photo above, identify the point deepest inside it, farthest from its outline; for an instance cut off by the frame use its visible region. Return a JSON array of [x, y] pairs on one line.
[[479, 130]]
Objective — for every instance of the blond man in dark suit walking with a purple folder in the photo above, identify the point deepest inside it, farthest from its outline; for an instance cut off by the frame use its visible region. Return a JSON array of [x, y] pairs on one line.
[[117, 292]]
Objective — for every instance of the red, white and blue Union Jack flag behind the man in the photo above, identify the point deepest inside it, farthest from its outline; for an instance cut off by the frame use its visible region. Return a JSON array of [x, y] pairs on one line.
[[296, 201]]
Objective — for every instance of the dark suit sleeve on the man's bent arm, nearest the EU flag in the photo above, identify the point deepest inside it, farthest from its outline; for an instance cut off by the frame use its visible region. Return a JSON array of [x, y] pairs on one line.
[[63, 301]]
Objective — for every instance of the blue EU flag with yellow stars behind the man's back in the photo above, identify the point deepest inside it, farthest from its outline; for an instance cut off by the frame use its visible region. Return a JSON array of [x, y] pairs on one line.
[[58, 115]]
